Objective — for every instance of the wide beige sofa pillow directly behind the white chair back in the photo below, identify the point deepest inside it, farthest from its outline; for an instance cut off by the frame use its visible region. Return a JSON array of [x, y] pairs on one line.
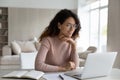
[[27, 46]]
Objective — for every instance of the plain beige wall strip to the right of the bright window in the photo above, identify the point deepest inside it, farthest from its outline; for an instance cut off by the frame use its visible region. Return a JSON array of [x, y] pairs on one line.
[[114, 29]]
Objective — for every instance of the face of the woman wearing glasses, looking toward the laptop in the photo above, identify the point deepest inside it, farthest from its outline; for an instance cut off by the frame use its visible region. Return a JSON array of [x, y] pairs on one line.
[[68, 27]]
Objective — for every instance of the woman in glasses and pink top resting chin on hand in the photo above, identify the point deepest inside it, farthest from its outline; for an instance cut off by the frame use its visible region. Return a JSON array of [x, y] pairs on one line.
[[58, 48]]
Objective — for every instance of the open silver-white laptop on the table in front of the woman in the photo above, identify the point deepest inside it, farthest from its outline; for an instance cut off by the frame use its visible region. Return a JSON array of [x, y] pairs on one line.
[[96, 65]]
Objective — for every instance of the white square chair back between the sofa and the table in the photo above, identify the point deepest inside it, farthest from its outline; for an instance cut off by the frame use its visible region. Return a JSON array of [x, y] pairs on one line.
[[27, 60]]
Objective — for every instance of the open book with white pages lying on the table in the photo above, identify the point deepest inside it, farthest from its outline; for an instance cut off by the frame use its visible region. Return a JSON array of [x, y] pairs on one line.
[[33, 74]]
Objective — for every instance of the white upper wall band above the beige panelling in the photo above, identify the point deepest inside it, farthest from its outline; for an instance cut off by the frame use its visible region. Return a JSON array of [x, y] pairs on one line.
[[49, 4]]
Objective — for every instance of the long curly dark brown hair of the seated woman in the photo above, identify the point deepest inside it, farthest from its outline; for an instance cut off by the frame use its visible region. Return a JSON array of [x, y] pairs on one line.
[[52, 29]]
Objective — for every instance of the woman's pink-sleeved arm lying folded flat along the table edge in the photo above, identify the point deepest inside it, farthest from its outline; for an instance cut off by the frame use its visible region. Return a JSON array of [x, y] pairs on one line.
[[42, 66]]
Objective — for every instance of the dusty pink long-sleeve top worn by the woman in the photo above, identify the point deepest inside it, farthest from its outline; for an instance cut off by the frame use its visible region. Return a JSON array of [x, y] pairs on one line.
[[54, 53]]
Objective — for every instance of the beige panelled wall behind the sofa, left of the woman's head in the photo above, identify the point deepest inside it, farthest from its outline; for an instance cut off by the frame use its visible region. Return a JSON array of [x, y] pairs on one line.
[[27, 23]]
